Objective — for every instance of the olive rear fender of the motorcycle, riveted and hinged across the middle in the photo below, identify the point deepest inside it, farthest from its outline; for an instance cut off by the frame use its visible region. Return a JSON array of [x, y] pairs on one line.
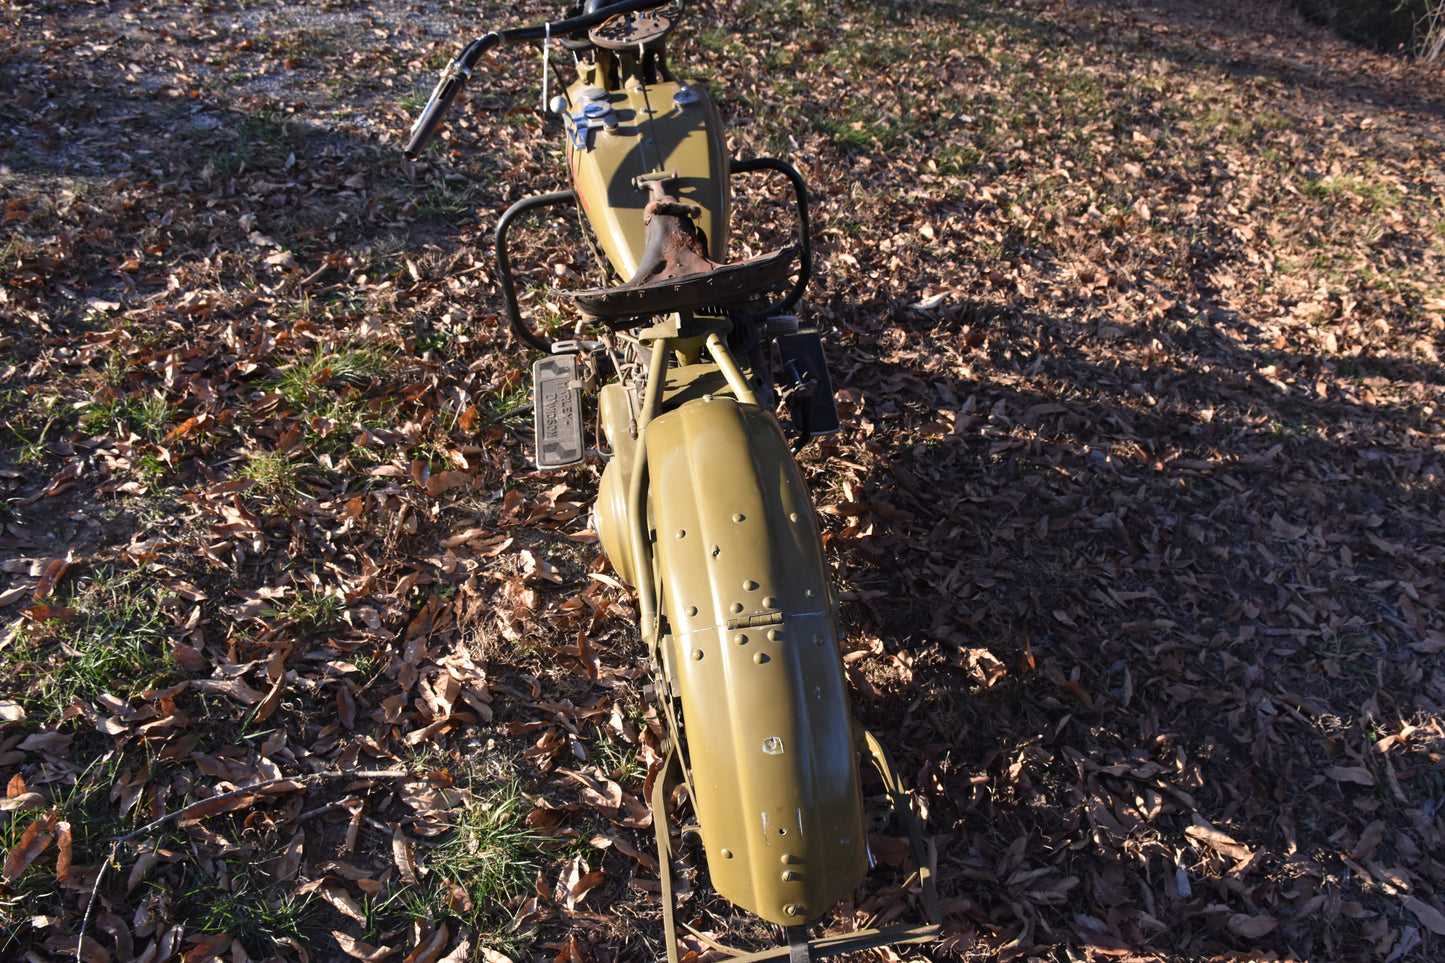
[[752, 651]]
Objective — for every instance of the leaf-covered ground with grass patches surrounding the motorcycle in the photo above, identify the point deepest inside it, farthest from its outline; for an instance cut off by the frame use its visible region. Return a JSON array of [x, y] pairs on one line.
[[1135, 313]]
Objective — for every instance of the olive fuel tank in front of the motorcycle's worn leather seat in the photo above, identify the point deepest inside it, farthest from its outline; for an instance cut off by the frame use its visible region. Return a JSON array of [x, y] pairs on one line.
[[632, 129]]
